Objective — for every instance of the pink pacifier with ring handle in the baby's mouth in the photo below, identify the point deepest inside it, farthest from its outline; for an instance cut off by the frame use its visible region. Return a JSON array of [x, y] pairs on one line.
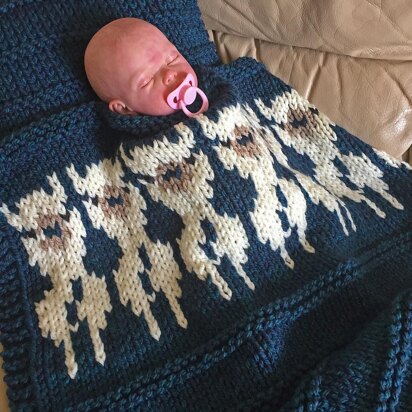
[[185, 94]]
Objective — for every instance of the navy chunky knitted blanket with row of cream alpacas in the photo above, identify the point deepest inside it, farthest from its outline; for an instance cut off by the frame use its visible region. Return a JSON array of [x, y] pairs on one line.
[[256, 256]]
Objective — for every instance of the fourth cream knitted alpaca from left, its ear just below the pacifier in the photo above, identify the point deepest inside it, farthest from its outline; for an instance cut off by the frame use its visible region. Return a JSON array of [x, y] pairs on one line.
[[242, 145]]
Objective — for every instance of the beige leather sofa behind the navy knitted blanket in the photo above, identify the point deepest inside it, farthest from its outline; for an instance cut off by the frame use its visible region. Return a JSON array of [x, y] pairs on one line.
[[352, 59]]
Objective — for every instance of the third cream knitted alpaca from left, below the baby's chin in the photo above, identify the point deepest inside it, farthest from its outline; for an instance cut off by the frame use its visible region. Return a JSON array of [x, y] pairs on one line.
[[189, 196]]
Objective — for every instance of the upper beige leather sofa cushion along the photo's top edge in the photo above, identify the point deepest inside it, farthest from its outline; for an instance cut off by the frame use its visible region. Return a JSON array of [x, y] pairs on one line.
[[368, 29]]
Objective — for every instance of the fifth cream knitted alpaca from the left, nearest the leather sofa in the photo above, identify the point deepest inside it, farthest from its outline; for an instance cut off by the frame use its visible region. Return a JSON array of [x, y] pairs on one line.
[[327, 183]]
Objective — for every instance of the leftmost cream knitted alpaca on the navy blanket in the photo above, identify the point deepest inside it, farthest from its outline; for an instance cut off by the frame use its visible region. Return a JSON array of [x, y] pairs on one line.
[[37, 212]]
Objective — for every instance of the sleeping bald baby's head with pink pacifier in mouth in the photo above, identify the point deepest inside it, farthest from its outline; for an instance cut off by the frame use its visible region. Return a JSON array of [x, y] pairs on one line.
[[133, 67]]
